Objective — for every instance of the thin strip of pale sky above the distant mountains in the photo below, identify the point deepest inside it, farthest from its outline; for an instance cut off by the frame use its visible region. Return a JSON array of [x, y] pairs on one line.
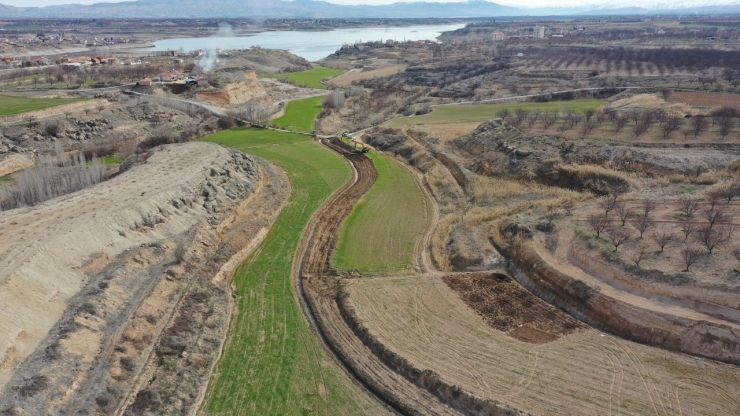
[[515, 3]]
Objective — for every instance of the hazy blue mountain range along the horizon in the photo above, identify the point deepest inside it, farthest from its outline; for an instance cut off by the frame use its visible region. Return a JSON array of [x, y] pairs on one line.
[[179, 9]]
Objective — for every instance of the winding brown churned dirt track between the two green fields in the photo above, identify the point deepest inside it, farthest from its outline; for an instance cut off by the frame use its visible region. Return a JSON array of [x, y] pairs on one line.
[[319, 286]]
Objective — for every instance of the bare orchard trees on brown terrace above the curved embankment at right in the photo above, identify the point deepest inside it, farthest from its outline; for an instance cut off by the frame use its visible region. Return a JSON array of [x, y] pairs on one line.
[[716, 230]]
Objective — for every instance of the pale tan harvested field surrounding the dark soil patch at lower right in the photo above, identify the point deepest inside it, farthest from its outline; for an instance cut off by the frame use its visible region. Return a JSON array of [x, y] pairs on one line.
[[583, 373]]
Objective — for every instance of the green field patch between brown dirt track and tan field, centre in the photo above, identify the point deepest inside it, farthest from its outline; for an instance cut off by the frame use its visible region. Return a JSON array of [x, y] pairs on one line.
[[380, 233]]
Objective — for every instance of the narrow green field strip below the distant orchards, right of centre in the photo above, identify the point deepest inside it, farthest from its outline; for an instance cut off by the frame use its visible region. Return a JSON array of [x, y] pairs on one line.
[[484, 112]]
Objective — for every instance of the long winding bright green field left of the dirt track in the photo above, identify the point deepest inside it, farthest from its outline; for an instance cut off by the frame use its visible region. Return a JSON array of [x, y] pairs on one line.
[[272, 363]]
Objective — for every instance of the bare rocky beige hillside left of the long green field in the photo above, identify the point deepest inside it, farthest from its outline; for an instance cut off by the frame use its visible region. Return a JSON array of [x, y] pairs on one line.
[[115, 298]]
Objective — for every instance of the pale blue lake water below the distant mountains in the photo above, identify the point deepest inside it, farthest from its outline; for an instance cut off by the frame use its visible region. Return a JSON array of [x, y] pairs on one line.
[[310, 45]]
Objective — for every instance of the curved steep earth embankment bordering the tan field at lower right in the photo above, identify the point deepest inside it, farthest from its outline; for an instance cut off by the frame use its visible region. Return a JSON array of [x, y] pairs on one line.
[[642, 319]]
